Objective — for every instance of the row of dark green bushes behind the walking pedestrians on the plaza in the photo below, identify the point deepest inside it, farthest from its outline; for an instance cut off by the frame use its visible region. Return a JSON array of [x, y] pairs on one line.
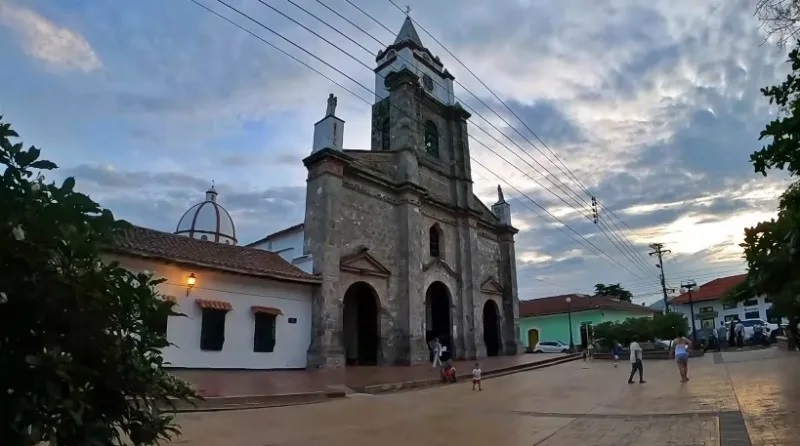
[[641, 329]]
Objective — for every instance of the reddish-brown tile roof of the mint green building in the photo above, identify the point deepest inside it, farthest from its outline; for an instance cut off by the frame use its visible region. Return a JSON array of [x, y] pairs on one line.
[[580, 302]]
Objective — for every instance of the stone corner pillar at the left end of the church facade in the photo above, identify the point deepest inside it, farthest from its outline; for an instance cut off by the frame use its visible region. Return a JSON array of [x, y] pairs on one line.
[[322, 242]]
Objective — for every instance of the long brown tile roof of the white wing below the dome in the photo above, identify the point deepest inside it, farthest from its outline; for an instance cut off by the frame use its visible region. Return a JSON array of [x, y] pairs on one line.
[[149, 243]]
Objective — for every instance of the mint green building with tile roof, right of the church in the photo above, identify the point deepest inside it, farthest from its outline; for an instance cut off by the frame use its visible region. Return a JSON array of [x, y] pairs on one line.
[[547, 318]]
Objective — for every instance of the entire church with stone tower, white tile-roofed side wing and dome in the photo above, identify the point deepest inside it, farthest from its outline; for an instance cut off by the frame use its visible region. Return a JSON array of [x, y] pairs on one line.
[[394, 251]]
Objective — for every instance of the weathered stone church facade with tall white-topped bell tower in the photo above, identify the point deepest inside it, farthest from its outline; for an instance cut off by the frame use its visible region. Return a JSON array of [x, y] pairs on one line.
[[405, 250]]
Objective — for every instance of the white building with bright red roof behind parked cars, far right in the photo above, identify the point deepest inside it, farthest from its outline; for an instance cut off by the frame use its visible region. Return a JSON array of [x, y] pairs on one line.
[[710, 310]]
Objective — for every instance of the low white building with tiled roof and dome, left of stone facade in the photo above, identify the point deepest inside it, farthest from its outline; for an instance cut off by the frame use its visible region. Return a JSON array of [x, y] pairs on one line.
[[245, 308]]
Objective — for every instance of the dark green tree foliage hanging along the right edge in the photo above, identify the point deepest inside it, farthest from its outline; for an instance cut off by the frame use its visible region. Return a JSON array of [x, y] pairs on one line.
[[772, 248]]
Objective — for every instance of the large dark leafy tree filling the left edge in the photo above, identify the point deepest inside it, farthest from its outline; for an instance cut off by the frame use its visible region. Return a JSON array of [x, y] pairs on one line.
[[80, 360]]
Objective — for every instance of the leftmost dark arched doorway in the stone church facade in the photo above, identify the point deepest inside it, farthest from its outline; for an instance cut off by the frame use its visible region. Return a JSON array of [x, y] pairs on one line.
[[361, 325]]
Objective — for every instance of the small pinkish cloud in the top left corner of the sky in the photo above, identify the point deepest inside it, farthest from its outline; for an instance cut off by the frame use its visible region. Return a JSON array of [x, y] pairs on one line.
[[59, 47]]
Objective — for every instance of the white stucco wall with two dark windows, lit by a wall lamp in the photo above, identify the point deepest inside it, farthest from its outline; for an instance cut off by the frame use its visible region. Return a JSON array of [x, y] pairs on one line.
[[242, 292]]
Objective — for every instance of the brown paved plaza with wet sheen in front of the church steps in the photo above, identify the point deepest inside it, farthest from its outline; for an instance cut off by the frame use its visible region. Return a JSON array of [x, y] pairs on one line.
[[729, 395]]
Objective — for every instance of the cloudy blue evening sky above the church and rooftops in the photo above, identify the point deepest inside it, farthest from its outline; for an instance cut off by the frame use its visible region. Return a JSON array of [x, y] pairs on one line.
[[653, 107]]
